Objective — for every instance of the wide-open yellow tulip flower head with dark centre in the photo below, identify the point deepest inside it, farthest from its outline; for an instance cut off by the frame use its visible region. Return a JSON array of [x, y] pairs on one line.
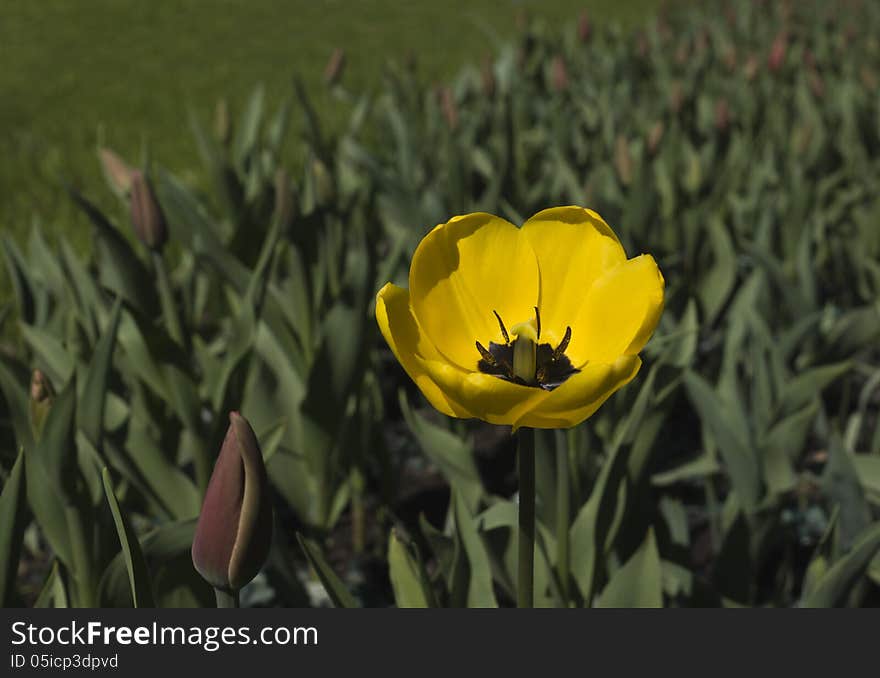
[[534, 326]]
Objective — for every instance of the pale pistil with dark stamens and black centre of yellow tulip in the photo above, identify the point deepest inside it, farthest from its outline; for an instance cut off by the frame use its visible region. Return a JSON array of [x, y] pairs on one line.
[[524, 360]]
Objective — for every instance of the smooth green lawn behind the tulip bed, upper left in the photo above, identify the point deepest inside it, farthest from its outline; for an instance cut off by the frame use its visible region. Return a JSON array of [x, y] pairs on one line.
[[127, 72]]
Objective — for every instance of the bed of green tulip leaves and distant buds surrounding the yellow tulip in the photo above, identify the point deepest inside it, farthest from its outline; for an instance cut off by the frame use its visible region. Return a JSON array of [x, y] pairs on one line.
[[736, 141]]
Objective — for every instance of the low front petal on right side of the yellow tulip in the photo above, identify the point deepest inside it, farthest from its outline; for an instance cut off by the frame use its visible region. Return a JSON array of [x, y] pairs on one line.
[[581, 394]]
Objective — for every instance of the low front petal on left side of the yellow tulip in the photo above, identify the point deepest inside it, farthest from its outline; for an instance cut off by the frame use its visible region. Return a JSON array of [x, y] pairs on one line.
[[486, 397]]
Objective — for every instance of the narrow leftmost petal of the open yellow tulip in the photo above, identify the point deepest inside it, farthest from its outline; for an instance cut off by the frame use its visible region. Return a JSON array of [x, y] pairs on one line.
[[410, 346]]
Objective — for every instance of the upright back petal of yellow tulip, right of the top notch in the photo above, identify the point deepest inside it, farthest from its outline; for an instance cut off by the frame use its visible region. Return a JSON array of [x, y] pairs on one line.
[[574, 248]]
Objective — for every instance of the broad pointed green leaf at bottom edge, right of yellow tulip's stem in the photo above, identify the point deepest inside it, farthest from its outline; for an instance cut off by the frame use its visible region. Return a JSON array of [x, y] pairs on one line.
[[639, 582]]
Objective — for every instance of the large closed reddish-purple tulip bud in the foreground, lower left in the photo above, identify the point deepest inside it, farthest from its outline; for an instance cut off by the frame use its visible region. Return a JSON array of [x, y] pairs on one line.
[[234, 531]]
